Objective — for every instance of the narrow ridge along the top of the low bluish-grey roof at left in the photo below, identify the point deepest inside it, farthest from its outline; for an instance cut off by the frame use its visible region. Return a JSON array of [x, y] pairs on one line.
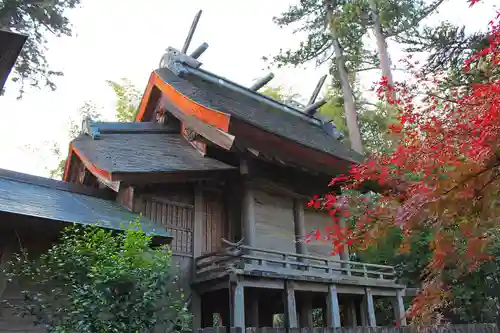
[[52, 183]]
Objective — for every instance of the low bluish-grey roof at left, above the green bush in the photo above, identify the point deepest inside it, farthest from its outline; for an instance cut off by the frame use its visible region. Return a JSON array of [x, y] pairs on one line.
[[54, 200]]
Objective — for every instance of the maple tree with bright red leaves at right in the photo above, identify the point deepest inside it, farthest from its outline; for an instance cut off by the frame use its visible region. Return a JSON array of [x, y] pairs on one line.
[[444, 175]]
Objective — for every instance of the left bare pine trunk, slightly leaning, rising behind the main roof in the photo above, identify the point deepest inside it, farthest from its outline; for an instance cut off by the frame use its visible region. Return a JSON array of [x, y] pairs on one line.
[[349, 104]]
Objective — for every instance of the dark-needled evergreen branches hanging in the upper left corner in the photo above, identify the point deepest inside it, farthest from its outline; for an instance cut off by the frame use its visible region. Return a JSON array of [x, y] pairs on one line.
[[36, 19]]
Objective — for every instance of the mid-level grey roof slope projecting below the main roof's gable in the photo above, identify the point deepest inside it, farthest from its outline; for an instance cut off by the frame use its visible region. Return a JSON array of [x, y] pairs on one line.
[[122, 153]]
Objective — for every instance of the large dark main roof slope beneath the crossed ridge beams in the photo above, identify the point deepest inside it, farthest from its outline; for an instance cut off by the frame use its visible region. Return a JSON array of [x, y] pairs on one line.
[[272, 120]]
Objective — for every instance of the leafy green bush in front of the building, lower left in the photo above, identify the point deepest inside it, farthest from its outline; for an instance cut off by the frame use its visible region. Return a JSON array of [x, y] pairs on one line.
[[95, 280]]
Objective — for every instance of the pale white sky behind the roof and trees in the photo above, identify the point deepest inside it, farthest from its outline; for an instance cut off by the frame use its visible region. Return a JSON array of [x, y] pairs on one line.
[[115, 39]]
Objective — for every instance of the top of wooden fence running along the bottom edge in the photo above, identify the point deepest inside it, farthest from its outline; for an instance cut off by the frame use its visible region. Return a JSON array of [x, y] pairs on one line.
[[466, 328]]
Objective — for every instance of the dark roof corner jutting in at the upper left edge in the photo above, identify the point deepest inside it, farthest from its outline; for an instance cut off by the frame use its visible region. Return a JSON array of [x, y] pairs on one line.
[[11, 46]]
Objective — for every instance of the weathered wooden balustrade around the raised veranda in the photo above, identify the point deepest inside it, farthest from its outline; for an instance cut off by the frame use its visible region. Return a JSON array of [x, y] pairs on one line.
[[239, 256]]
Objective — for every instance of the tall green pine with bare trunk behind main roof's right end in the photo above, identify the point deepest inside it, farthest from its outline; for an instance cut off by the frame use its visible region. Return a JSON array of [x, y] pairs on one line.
[[347, 23]]
